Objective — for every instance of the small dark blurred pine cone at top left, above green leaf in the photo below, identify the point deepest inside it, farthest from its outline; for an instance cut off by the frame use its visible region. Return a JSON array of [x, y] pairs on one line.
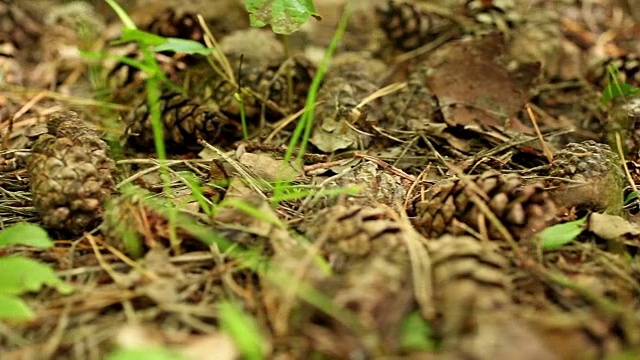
[[170, 23]]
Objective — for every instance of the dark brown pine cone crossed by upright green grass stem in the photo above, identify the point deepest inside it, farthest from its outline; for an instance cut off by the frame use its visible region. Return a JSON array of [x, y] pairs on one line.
[[185, 122]]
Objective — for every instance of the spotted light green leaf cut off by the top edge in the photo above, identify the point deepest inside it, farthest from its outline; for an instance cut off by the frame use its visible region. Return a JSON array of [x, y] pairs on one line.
[[284, 16]]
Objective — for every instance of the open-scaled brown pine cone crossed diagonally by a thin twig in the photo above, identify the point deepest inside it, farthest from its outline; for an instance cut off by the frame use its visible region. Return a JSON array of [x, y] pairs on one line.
[[448, 206]]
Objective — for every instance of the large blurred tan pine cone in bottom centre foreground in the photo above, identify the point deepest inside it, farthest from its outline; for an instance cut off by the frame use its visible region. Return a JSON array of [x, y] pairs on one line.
[[375, 283]]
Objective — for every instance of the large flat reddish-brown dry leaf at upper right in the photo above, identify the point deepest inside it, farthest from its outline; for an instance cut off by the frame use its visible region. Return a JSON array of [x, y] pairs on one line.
[[473, 84]]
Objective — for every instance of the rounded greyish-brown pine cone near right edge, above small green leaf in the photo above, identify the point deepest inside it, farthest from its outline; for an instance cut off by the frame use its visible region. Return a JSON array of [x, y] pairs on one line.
[[586, 175]]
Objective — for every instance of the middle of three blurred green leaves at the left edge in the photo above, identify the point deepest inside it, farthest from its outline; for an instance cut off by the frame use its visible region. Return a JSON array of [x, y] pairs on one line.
[[21, 275]]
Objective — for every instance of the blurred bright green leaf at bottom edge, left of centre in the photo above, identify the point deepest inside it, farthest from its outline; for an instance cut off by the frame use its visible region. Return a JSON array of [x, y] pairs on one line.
[[243, 330]]
